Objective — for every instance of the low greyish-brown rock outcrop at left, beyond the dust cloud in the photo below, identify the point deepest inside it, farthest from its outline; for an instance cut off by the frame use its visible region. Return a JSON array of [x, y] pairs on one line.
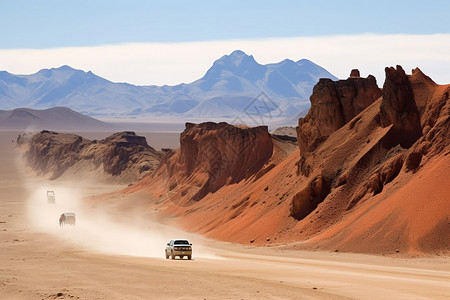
[[124, 156]]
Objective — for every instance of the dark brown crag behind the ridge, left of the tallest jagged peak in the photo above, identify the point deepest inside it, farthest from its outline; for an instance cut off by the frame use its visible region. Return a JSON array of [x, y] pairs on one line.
[[333, 104]]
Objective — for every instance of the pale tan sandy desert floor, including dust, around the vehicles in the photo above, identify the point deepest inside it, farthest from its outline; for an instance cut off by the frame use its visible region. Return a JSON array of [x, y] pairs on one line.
[[105, 257]]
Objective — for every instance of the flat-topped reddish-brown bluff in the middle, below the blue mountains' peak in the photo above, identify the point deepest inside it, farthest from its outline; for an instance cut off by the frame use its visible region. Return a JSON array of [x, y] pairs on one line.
[[212, 155]]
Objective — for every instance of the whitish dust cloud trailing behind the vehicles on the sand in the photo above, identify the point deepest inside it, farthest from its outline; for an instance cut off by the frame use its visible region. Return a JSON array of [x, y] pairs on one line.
[[100, 232]]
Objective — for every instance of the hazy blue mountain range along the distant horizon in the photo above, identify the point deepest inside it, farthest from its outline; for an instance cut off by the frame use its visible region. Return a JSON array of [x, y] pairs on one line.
[[236, 85]]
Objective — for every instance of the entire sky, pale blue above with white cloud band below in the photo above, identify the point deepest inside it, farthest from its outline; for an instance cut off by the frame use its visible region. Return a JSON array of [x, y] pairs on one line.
[[169, 42]]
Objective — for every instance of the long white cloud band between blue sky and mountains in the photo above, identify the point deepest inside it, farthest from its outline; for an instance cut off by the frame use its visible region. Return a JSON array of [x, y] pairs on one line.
[[173, 63]]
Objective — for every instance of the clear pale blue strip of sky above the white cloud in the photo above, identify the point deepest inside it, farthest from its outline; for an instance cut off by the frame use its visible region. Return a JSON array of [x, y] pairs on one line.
[[56, 23]]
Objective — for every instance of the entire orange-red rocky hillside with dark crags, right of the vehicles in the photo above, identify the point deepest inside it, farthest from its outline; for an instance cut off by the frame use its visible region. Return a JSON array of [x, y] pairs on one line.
[[370, 173]]
